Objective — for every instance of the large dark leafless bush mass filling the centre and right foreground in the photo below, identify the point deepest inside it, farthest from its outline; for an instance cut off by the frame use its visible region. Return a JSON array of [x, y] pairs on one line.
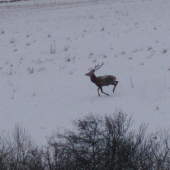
[[108, 143]]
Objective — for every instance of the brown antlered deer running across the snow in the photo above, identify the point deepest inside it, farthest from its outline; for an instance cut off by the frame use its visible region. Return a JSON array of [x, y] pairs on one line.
[[100, 81]]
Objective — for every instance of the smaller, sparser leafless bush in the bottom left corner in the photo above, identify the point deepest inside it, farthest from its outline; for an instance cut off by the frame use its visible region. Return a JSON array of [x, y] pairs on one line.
[[18, 152]]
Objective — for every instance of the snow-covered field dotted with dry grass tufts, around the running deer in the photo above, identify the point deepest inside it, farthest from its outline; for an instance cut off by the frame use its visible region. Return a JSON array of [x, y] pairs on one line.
[[46, 49]]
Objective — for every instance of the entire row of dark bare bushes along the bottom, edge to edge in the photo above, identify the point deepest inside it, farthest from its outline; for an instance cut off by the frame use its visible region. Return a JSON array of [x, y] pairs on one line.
[[97, 143]]
